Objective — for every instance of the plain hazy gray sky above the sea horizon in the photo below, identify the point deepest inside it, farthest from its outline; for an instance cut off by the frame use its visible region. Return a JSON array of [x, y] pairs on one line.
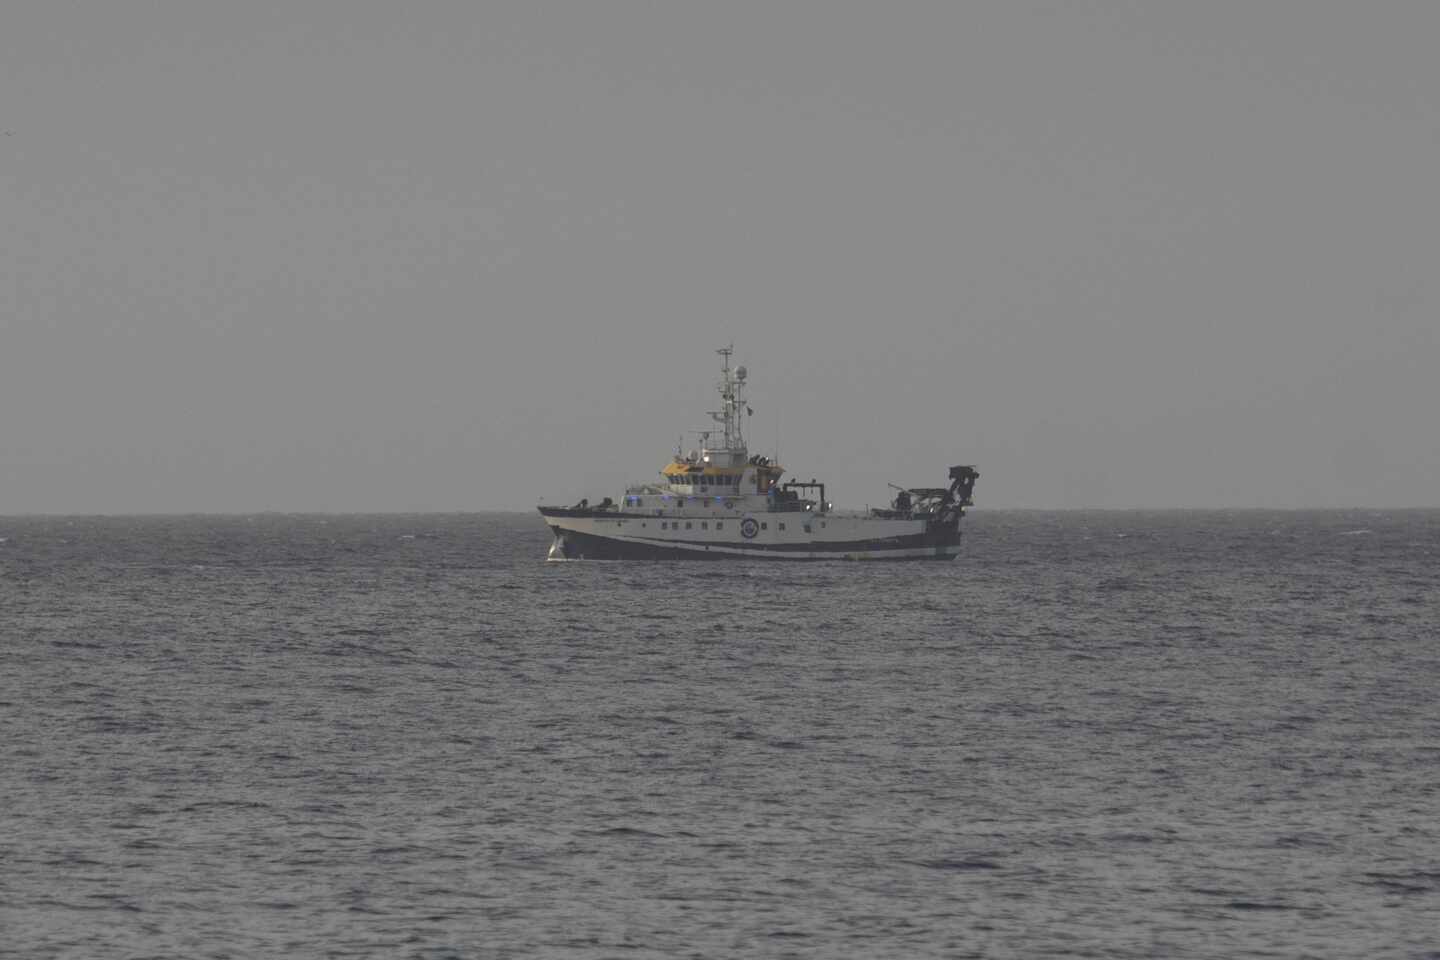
[[345, 255]]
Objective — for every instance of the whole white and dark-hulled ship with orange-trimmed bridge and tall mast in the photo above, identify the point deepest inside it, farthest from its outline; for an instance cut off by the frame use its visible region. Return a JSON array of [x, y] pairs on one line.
[[719, 502]]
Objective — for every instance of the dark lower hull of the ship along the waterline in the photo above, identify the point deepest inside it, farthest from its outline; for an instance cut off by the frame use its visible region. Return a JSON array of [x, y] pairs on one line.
[[571, 545]]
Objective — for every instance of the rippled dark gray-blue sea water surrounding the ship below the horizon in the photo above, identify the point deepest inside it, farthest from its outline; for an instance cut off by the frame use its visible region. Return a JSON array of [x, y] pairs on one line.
[[1114, 735]]
